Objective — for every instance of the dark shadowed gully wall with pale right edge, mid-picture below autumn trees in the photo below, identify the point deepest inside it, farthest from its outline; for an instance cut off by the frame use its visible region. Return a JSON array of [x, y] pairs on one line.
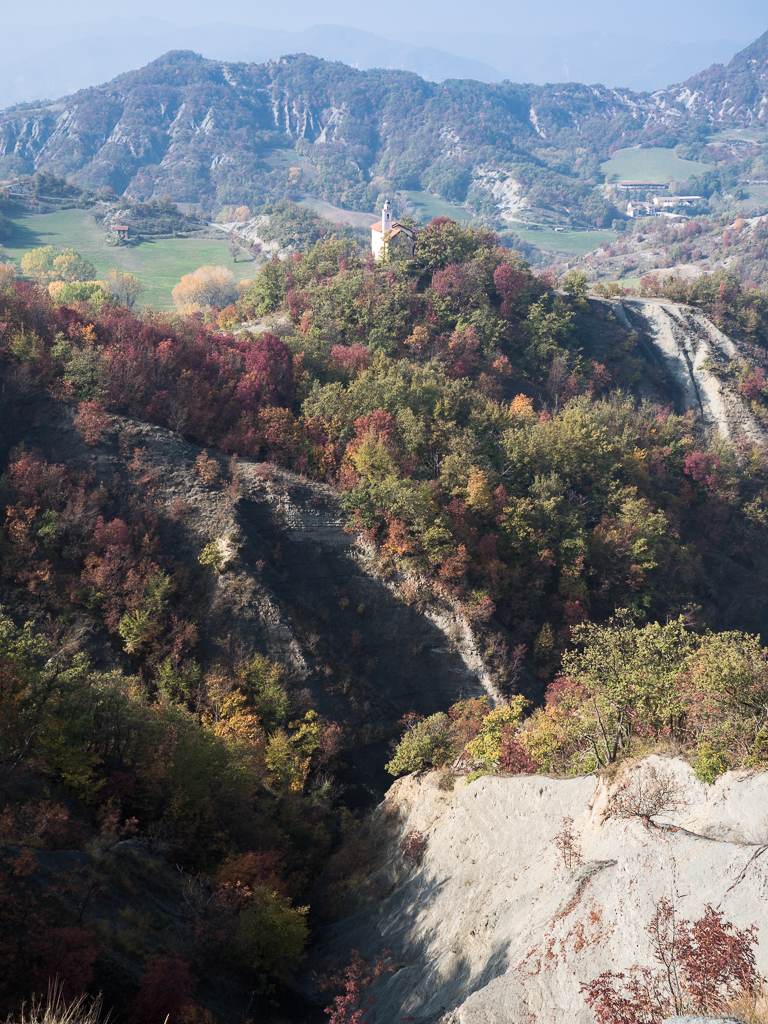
[[370, 656]]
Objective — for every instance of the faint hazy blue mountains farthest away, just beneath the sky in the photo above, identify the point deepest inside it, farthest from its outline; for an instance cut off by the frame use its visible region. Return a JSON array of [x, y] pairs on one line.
[[55, 61]]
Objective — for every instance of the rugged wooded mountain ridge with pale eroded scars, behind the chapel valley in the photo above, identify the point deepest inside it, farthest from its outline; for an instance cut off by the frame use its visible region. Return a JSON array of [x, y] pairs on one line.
[[223, 133]]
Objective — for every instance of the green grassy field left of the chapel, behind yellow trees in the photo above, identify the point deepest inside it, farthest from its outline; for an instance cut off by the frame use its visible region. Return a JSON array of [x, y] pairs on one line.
[[159, 266]]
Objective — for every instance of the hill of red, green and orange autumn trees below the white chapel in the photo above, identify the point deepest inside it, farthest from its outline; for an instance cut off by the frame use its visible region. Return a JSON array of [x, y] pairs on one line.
[[456, 406]]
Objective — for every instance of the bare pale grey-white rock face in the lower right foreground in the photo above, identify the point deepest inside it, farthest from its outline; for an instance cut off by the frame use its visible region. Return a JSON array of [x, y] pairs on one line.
[[494, 928]]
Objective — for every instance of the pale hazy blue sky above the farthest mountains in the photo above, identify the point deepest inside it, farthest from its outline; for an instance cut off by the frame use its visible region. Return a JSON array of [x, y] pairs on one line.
[[693, 20]]
